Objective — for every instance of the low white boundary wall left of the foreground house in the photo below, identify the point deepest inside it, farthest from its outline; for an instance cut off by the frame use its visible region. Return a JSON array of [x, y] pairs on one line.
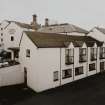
[[11, 75]]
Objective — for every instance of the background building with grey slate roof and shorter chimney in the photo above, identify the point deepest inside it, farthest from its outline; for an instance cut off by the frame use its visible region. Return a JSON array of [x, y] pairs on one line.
[[65, 28]]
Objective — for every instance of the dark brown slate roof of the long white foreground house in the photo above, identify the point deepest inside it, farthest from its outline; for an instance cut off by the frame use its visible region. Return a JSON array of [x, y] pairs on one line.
[[51, 40]]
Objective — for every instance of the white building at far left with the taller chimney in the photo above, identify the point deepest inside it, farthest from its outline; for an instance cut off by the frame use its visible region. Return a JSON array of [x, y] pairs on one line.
[[11, 33]]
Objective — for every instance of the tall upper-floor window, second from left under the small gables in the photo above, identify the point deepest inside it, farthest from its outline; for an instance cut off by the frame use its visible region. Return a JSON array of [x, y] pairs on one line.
[[82, 55]]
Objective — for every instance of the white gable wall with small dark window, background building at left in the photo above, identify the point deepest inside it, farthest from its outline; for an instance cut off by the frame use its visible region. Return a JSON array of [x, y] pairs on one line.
[[16, 34]]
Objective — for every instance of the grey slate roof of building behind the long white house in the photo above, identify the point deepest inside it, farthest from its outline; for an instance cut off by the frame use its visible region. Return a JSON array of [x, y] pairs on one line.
[[62, 28]]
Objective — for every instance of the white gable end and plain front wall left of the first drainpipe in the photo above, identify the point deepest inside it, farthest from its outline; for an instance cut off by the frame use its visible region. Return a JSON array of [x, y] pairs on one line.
[[40, 66]]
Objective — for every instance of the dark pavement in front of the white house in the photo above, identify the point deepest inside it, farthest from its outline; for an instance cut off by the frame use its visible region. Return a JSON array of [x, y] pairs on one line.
[[87, 91]]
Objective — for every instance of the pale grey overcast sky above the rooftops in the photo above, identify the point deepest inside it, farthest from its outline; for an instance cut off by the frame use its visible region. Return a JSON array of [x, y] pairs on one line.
[[83, 13]]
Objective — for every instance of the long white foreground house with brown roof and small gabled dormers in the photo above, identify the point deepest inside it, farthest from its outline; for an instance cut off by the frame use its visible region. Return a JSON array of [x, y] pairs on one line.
[[51, 60]]
